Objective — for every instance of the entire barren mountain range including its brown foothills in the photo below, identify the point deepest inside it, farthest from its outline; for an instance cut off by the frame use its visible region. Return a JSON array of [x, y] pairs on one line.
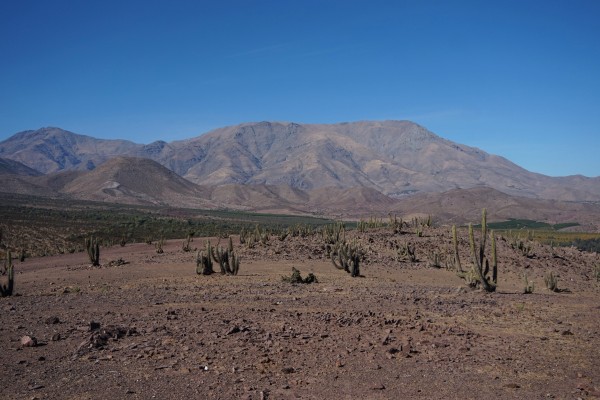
[[347, 168]]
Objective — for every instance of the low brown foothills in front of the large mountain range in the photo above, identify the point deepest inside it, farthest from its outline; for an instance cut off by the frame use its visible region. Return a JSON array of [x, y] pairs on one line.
[[138, 181]]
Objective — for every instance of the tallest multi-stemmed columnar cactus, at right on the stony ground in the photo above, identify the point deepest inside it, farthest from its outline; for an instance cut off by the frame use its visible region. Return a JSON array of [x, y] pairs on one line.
[[480, 261]]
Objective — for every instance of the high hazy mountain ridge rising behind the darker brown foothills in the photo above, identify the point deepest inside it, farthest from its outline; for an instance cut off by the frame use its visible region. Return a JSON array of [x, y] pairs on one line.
[[396, 158]]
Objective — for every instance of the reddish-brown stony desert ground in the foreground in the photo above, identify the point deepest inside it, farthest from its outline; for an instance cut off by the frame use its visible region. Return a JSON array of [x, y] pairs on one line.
[[153, 328]]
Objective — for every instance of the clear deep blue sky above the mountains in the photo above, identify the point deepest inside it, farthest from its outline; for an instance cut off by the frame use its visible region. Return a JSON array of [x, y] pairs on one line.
[[517, 78]]
